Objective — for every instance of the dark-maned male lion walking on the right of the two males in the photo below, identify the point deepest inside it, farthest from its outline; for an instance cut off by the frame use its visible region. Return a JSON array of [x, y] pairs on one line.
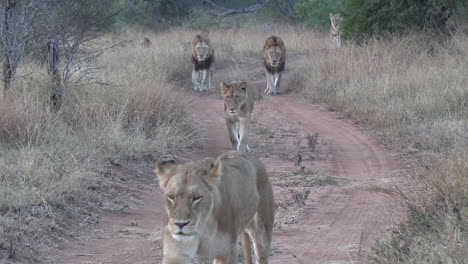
[[274, 55]]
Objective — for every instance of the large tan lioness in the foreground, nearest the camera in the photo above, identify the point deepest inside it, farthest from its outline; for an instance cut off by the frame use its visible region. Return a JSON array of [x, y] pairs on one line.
[[209, 203]]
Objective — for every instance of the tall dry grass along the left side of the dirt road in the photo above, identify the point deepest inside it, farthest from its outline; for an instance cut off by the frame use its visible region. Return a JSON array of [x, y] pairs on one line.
[[55, 168]]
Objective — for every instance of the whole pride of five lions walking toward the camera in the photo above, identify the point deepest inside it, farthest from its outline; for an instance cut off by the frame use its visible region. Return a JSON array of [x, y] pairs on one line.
[[211, 203]]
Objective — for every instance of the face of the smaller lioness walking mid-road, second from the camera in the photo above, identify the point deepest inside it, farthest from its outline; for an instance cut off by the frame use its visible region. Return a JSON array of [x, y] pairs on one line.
[[234, 97]]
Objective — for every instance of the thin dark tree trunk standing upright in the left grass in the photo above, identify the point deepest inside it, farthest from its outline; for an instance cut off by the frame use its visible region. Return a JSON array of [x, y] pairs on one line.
[[56, 95]]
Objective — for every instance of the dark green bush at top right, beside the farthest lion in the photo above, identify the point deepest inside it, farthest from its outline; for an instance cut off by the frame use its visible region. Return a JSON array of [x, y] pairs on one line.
[[365, 18]]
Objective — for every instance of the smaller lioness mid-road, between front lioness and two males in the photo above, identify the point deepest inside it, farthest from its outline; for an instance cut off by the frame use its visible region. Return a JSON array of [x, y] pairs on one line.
[[238, 107]]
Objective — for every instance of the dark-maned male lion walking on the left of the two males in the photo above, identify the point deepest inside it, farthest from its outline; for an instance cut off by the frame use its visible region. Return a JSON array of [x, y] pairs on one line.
[[202, 59]]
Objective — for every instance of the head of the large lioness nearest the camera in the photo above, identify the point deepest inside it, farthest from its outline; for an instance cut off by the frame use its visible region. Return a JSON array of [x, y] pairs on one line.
[[188, 193]]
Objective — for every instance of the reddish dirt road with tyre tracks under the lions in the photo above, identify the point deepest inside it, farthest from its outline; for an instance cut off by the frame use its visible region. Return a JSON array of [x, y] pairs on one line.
[[320, 164]]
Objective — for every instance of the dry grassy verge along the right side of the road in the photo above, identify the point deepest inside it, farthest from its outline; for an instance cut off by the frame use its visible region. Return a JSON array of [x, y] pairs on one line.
[[414, 94]]
